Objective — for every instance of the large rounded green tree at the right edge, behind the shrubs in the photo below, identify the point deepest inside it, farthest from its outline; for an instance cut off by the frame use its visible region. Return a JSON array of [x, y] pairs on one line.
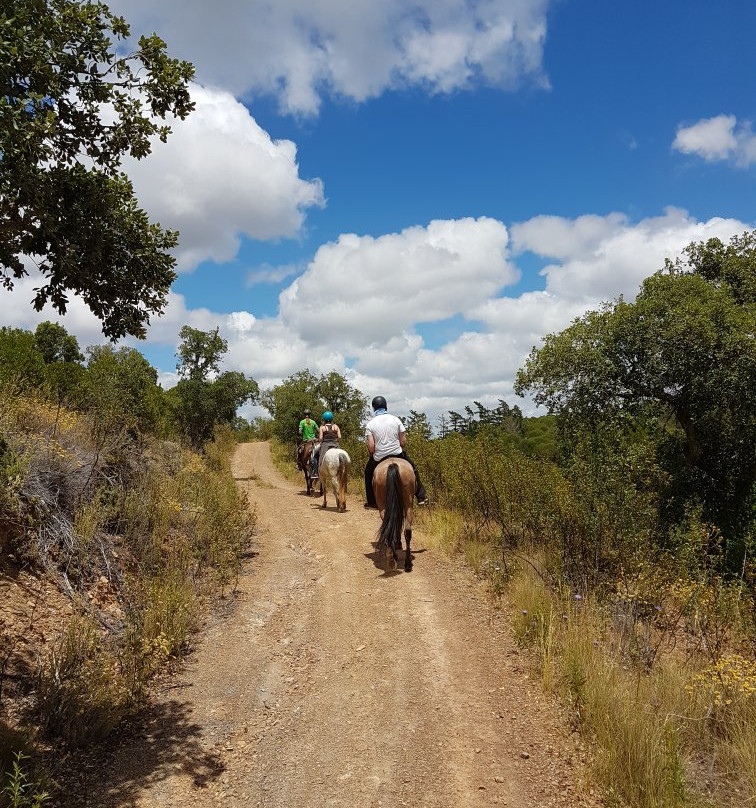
[[679, 362]]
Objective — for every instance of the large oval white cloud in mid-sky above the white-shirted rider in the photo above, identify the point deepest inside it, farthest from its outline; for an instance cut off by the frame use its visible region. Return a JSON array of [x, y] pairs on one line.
[[362, 290]]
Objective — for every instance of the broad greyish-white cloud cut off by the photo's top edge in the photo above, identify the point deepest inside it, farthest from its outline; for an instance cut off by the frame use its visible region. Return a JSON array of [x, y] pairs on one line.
[[299, 49]]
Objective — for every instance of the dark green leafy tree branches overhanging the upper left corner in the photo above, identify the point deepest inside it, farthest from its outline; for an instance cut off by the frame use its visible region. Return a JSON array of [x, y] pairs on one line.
[[71, 107]]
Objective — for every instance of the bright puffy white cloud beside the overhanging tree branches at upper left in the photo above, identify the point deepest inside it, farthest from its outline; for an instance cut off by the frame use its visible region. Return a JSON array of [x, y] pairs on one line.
[[219, 177]]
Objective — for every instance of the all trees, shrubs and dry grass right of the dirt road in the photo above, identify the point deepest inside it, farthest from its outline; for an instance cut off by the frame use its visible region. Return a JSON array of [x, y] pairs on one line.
[[623, 540]]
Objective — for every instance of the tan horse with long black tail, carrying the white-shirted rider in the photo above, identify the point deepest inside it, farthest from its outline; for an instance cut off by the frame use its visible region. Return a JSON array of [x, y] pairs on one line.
[[394, 487]]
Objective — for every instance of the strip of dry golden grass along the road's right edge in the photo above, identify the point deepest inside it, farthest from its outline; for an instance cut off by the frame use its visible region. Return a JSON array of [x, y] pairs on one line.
[[671, 728]]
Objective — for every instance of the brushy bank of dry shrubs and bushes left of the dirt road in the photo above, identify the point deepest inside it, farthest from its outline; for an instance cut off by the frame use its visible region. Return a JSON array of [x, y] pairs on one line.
[[120, 523]]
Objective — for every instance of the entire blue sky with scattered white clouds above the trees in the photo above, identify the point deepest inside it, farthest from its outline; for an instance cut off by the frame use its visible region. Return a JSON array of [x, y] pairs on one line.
[[415, 199]]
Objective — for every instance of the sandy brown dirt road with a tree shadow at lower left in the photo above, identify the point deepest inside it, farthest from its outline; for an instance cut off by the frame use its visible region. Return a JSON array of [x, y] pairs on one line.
[[330, 683]]
